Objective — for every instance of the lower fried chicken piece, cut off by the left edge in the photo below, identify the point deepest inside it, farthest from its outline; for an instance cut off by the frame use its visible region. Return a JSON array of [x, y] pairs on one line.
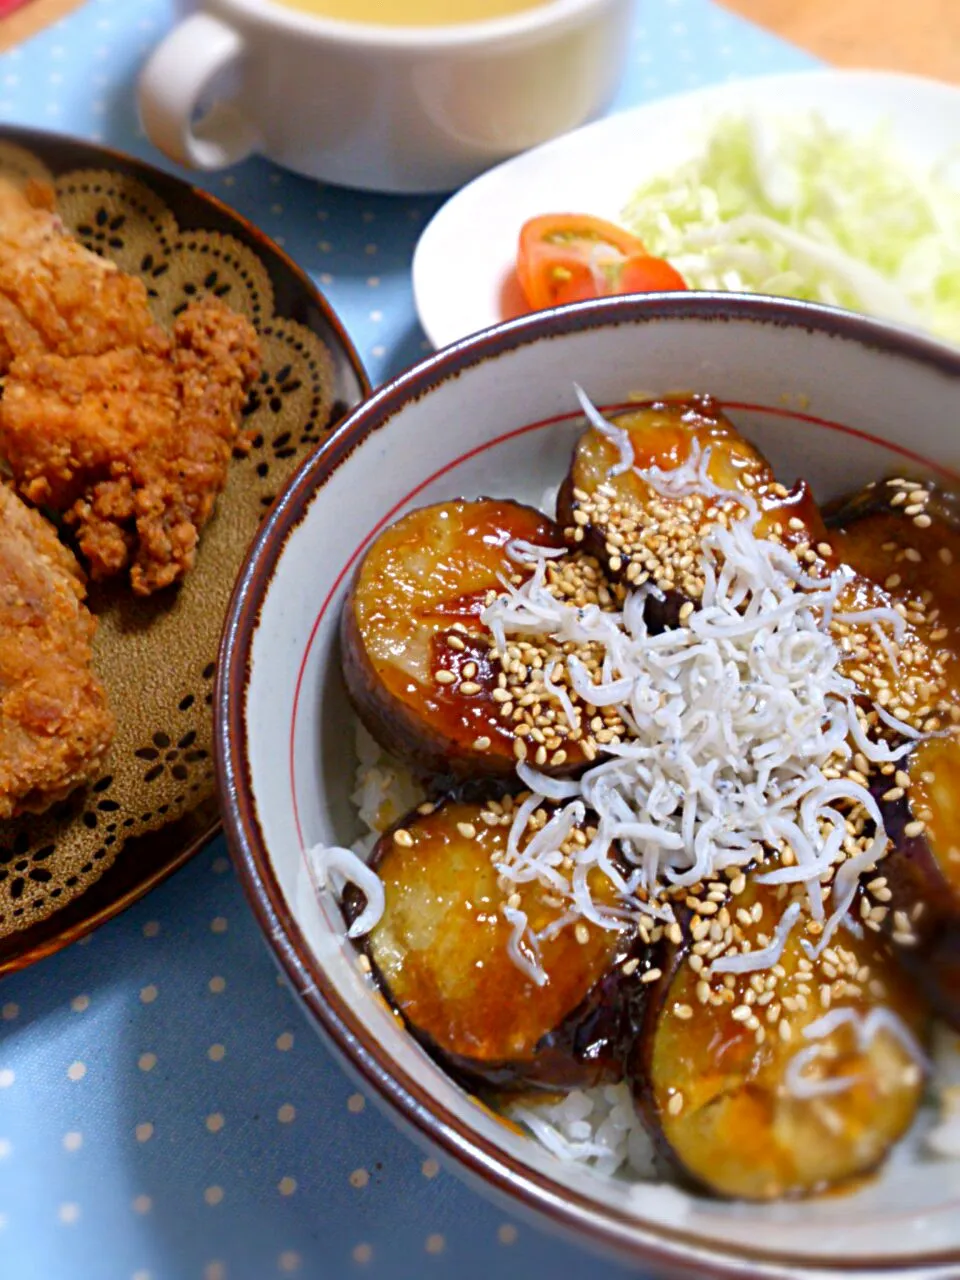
[[56, 725]]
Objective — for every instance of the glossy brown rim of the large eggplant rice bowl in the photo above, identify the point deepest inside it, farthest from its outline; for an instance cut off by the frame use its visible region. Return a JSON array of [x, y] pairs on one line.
[[669, 1249]]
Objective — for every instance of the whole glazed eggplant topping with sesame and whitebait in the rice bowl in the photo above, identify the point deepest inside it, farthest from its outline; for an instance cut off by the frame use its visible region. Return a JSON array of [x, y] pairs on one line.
[[789, 1077]]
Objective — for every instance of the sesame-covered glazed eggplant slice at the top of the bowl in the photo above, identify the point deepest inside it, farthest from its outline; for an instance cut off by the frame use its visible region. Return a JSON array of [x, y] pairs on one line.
[[642, 536]]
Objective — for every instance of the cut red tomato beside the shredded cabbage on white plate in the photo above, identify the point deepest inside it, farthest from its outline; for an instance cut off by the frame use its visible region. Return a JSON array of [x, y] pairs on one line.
[[569, 258]]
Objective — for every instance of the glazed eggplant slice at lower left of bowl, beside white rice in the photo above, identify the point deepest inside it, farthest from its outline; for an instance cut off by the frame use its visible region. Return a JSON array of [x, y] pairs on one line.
[[444, 954]]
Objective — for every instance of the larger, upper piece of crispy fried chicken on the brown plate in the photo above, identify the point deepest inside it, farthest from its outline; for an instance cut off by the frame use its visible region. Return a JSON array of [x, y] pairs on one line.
[[126, 431]]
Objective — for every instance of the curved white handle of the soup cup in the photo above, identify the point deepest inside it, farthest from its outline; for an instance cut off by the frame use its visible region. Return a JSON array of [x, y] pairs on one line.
[[172, 86]]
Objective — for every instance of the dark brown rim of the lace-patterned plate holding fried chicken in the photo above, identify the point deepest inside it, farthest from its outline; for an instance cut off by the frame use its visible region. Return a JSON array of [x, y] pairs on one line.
[[63, 153]]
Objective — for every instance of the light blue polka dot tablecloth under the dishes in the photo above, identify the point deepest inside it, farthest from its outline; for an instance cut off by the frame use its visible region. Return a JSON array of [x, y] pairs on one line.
[[167, 1113]]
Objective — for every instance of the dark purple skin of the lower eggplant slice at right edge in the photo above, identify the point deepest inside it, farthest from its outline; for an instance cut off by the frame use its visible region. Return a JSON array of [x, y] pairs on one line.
[[920, 888]]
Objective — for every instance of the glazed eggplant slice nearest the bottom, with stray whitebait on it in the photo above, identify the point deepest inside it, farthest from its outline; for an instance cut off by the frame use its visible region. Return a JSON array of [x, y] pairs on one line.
[[787, 1081]]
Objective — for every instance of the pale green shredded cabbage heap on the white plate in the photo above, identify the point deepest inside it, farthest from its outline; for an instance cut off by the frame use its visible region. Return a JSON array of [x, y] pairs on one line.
[[798, 209]]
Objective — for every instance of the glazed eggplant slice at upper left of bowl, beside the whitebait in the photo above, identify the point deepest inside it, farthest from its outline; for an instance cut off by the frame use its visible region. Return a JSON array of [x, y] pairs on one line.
[[418, 659]]
